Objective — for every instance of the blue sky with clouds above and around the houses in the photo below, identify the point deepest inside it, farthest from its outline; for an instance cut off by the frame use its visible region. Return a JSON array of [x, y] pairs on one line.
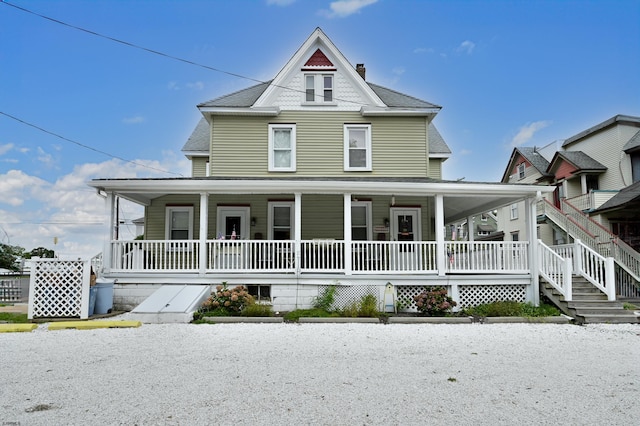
[[507, 73]]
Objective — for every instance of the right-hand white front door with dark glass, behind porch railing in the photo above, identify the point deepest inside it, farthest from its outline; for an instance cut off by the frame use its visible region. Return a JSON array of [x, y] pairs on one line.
[[405, 230]]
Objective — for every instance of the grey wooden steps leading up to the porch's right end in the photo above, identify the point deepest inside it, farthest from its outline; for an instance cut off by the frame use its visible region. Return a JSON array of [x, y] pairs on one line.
[[589, 304]]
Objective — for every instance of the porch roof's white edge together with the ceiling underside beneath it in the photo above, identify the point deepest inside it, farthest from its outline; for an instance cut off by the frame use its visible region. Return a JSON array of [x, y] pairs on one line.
[[461, 199]]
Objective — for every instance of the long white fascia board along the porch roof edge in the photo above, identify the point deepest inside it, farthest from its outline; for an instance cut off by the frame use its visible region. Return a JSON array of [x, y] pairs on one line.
[[249, 186]]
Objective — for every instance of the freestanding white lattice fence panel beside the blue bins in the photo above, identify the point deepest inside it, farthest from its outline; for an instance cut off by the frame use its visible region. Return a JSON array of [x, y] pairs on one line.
[[59, 288]]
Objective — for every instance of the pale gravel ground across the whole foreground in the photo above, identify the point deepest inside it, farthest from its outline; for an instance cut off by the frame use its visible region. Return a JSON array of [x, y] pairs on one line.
[[323, 374]]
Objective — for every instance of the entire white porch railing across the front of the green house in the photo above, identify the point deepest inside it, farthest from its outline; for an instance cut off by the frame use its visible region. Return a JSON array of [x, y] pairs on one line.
[[317, 256]]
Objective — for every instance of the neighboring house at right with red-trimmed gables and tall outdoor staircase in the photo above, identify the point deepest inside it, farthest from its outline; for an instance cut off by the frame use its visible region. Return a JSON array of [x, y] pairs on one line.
[[595, 174]]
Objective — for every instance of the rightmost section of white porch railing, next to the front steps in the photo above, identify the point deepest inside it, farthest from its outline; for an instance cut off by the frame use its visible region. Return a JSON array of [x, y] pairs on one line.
[[488, 256]]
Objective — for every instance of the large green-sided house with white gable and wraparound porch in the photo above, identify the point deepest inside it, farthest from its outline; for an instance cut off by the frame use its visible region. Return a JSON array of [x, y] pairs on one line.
[[314, 178]]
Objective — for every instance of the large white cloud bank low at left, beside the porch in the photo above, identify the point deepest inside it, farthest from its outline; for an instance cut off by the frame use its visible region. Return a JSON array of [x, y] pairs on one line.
[[34, 211]]
